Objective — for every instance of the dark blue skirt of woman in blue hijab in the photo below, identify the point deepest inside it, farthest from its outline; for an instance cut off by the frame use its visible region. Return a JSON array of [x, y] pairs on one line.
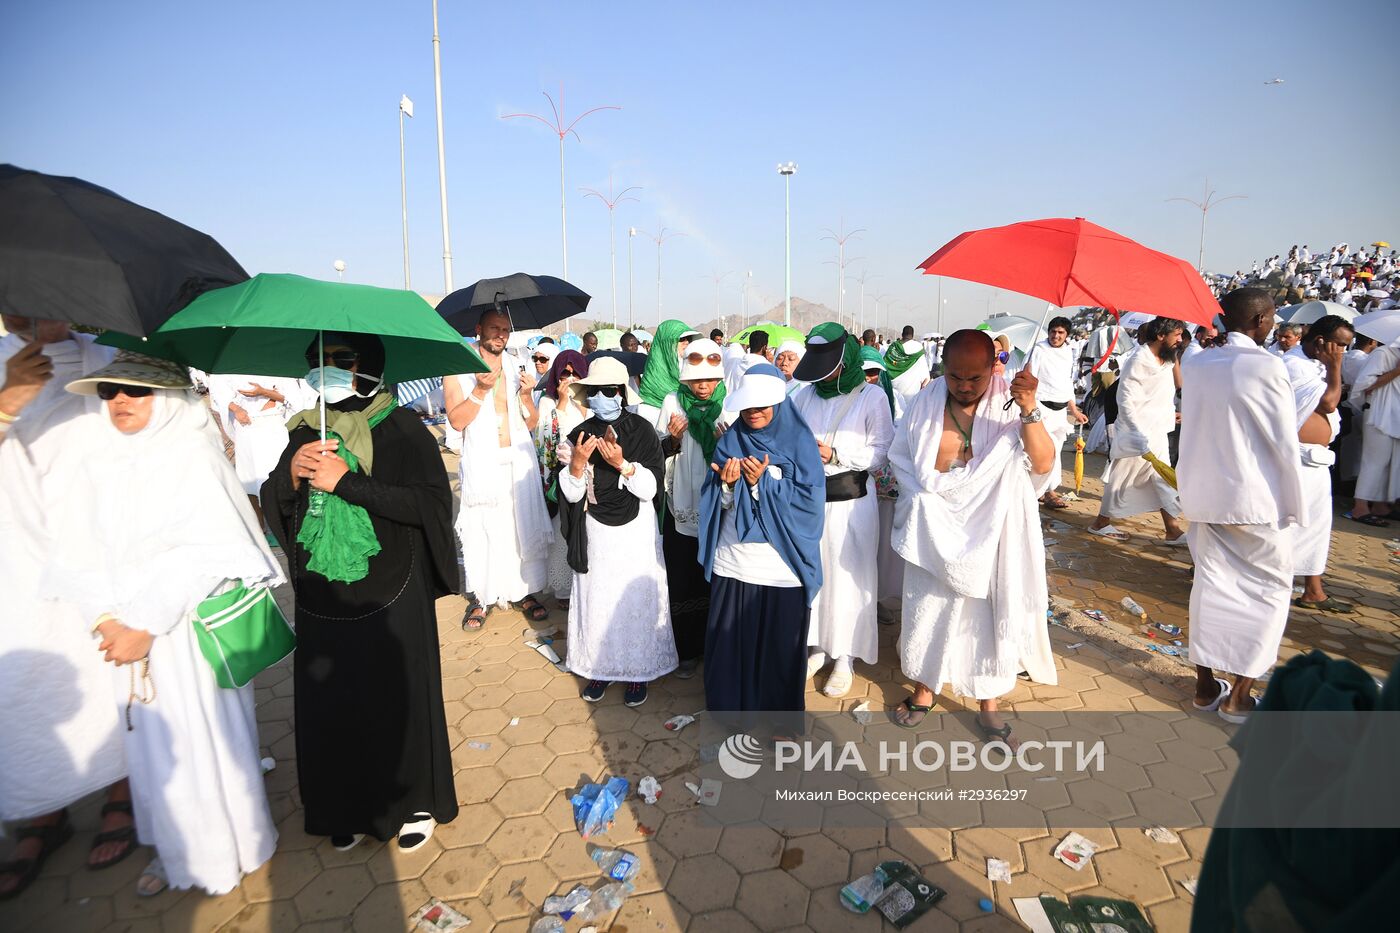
[[755, 656]]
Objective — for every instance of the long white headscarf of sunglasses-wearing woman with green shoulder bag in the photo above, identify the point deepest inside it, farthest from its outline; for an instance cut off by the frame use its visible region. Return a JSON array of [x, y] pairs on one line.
[[157, 523]]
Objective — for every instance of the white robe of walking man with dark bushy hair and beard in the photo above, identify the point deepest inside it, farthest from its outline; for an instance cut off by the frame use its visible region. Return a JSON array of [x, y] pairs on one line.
[[1147, 415]]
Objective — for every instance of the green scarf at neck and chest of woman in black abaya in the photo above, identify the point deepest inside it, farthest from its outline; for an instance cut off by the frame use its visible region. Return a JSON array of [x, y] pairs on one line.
[[339, 536]]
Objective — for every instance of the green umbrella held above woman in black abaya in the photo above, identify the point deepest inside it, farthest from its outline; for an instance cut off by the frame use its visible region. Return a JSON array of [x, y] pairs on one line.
[[265, 326]]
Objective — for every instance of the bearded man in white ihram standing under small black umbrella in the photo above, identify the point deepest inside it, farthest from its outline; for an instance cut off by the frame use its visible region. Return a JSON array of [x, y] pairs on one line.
[[503, 523]]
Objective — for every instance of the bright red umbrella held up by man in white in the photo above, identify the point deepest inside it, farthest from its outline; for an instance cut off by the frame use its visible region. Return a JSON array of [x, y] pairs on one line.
[[1074, 263]]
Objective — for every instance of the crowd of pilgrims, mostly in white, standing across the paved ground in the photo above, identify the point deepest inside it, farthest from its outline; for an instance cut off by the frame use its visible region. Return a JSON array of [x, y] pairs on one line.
[[747, 513]]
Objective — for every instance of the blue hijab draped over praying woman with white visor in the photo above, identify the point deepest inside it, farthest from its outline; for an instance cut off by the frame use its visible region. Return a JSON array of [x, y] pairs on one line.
[[790, 512]]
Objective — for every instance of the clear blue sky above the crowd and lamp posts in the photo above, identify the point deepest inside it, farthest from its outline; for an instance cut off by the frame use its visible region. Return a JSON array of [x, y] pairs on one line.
[[272, 125]]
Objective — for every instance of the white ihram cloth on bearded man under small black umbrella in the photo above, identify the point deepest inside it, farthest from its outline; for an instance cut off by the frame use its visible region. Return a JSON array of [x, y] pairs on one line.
[[503, 523]]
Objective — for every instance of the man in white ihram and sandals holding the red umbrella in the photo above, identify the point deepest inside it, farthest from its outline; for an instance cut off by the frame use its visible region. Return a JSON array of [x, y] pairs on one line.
[[967, 525]]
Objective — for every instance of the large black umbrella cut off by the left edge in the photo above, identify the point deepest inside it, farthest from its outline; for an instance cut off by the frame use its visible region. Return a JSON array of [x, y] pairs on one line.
[[72, 251]]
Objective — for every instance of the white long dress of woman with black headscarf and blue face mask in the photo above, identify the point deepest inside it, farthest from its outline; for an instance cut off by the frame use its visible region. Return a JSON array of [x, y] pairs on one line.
[[619, 617]]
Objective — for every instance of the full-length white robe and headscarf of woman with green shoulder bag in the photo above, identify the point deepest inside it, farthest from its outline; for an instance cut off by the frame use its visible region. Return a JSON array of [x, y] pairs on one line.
[[163, 526]]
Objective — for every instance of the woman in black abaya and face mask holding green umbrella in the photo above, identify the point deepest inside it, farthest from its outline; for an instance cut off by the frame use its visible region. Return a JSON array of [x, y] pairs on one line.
[[367, 529]]
